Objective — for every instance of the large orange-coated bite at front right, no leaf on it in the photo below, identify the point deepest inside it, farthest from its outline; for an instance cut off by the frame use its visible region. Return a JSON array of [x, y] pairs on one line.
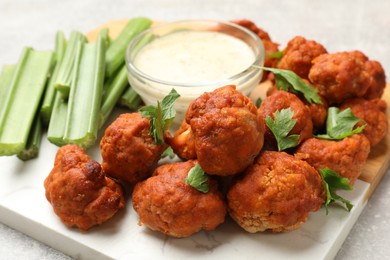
[[276, 193]]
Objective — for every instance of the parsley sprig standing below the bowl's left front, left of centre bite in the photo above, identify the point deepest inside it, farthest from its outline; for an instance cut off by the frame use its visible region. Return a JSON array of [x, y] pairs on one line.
[[161, 116]]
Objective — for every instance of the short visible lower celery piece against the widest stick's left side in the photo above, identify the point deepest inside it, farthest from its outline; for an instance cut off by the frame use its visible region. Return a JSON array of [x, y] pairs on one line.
[[56, 129]]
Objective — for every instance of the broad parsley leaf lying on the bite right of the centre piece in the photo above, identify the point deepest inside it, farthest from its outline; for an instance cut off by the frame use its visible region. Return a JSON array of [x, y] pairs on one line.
[[281, 126]]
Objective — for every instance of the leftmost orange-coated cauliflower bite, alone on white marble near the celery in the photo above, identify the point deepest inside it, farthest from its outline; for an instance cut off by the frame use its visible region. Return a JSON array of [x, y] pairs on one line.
[[78, 190]]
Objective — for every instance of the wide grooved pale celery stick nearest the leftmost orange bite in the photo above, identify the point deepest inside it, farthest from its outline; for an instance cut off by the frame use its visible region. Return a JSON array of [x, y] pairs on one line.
[[86, 94]]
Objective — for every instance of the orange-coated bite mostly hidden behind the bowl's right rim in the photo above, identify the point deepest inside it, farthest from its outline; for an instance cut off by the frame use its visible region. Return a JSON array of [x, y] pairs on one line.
[[269, 46]]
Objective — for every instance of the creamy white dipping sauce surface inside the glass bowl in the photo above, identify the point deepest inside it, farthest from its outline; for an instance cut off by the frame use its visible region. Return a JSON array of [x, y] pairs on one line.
[[194, 56]]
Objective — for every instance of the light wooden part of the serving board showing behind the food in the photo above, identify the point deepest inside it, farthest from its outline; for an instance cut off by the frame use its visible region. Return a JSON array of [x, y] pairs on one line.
[[379, 158]]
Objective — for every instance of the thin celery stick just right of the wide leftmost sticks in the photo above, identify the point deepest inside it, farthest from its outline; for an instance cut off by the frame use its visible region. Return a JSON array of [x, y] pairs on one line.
[[47, 103]]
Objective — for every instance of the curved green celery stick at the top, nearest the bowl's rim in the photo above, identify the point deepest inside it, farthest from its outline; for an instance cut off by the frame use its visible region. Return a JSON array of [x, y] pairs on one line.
[[115, 55]]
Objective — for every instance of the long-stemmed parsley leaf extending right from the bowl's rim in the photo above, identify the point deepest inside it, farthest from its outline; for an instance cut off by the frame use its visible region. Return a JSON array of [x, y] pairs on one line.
[[287, 79]]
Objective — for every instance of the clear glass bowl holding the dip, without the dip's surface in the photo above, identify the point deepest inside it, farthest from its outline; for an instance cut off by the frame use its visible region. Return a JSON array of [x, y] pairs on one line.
[[152, 88]]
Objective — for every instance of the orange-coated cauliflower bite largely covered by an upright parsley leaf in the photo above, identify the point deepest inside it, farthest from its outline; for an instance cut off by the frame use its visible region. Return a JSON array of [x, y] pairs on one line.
[[282, 100]]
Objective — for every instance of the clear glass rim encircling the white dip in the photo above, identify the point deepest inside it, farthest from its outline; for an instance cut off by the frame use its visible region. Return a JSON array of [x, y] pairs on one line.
[[260, 57]]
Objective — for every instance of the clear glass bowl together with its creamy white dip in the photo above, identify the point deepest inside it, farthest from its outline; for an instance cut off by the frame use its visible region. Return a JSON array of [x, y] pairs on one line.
[[193, 57]]
